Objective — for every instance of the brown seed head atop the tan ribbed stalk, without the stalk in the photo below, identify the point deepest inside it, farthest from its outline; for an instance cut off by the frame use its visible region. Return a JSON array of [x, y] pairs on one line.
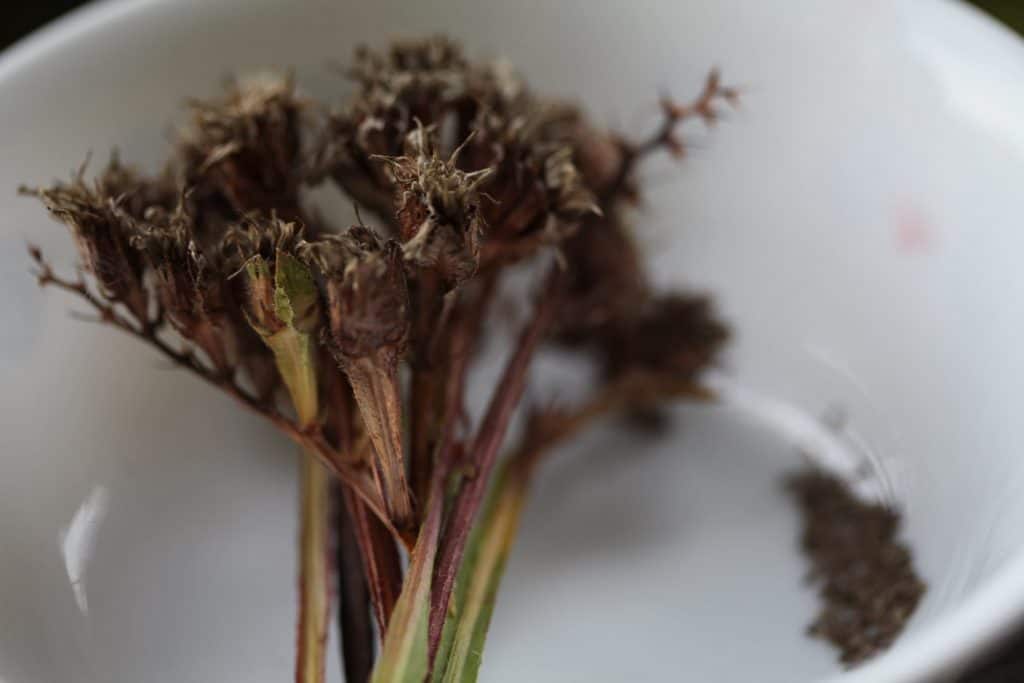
[[367, 294]]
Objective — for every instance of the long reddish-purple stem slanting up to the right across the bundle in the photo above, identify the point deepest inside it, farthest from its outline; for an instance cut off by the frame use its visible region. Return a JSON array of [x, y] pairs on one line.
[[483, 456]]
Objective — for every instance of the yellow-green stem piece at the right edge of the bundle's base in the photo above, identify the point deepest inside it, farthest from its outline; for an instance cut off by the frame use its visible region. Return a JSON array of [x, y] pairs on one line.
[[477, 587]]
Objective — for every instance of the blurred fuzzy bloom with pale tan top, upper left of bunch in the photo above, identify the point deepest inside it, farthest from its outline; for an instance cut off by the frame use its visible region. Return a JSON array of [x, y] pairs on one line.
[[246, 148]]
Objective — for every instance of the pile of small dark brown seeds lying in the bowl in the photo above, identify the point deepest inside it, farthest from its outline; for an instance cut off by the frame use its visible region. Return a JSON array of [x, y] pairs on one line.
[[866, 577]]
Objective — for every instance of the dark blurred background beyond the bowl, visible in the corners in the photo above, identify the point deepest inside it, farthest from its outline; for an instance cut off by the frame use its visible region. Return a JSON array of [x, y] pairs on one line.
[[24, 17]]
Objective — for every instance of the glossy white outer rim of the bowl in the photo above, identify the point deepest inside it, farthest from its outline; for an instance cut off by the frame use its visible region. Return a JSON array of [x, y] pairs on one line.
[[945, 648]]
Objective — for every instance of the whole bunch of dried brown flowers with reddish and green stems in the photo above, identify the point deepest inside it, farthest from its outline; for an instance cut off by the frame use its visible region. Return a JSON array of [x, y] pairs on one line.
[[220, 264]]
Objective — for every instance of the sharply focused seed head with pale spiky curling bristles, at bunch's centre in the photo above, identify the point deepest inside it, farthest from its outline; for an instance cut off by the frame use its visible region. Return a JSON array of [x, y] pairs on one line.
[[438, 209]]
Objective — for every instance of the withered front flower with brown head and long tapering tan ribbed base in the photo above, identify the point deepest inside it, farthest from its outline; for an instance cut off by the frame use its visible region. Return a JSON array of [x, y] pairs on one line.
[[369, 324]]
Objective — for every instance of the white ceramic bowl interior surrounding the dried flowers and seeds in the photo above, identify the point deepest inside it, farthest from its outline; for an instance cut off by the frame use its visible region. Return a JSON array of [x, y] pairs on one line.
[[860, 222]]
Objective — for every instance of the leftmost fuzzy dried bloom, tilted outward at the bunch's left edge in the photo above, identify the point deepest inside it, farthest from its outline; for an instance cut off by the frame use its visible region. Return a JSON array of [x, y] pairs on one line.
[[99, 219]]
